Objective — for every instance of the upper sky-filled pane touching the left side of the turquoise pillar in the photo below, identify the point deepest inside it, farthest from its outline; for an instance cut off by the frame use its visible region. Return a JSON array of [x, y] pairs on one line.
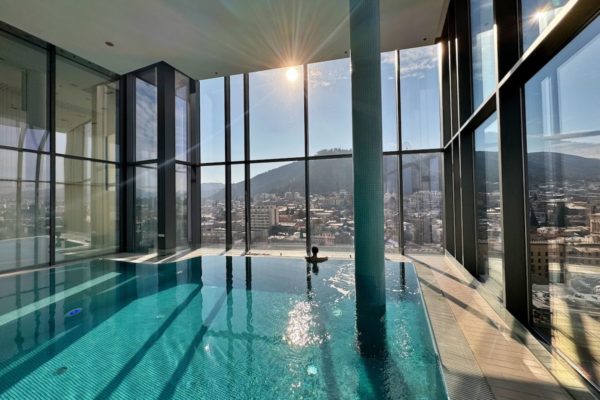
[[330, 107]]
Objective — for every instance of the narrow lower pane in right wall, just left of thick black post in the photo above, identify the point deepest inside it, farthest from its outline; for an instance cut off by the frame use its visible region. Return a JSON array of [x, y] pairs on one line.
[[488, 208]]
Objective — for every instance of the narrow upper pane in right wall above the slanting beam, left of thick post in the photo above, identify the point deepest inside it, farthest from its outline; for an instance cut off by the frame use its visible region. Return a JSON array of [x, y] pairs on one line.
[[483, 50]]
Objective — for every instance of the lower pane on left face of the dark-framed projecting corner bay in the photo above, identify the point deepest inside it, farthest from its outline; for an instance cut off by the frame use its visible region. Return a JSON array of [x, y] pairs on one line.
[[146, 207]]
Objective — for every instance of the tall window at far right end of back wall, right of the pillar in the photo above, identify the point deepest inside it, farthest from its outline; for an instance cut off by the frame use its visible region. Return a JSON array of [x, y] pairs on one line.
[[421, 160]]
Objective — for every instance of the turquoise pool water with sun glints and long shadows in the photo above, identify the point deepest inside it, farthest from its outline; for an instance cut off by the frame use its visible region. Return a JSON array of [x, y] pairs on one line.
[[209, 328]]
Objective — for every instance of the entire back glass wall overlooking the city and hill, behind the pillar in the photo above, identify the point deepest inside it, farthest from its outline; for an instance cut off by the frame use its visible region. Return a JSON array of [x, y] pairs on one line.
[[276, 114]]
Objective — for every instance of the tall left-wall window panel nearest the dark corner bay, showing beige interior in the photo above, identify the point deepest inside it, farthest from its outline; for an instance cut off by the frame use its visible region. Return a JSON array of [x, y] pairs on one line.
[[86, 186]]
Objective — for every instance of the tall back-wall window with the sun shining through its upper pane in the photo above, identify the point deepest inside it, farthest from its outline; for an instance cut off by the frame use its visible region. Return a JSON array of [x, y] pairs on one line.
[[277, 189]]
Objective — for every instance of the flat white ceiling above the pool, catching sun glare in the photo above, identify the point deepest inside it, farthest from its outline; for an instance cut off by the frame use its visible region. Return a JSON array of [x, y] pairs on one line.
[[205, 38]]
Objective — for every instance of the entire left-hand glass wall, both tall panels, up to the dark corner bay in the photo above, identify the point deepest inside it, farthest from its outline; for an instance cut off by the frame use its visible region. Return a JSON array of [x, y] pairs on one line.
[[64, 143]]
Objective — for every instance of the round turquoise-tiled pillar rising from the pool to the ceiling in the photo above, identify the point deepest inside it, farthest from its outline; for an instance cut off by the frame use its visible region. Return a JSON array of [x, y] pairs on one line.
[[367, 159]]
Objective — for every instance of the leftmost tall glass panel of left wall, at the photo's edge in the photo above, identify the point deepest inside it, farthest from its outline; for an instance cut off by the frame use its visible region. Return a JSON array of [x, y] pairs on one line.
[[24, 175]]
